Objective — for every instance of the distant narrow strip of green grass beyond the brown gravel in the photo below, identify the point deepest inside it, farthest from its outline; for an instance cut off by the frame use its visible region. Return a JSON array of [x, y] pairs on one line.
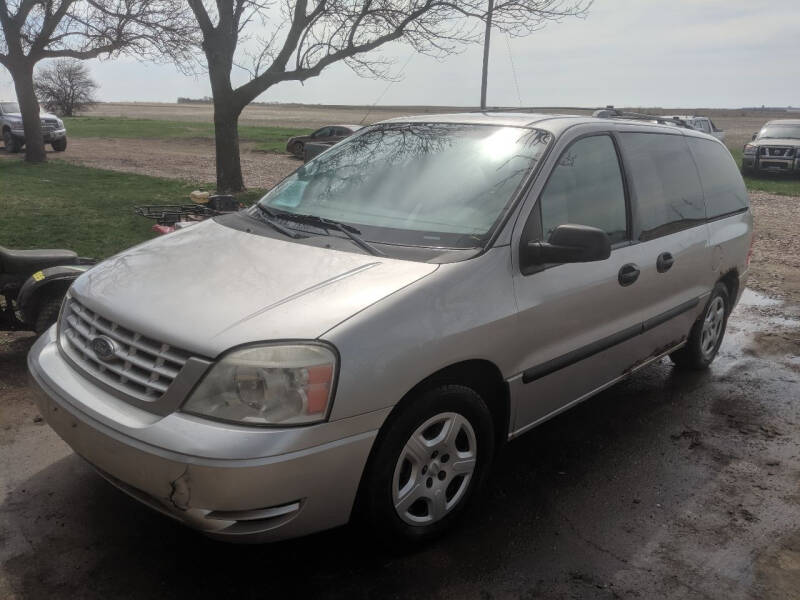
[[268, 139]]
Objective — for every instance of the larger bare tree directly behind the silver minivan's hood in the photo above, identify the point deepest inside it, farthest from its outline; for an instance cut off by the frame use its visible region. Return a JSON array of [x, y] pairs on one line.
[[309, 35]]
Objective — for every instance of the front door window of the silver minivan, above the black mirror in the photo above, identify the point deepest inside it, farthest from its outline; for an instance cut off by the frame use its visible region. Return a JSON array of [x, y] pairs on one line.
[[586, 188]]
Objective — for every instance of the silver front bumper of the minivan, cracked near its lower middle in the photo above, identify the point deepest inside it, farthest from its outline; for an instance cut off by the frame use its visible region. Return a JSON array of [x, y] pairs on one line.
[[294, 487]]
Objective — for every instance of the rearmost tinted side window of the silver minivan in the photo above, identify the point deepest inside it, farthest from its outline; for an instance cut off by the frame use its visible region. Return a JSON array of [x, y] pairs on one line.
[[722, 184]]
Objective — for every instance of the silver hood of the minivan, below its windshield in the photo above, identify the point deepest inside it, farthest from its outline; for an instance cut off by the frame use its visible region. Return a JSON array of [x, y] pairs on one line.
[[208, 288]]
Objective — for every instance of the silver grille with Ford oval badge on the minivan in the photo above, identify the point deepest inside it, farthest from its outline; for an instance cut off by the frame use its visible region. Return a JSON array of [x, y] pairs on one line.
[[140, 366]]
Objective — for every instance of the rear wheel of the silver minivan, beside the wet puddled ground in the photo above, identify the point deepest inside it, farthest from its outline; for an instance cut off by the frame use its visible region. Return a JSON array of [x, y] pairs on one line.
[[707, 332]]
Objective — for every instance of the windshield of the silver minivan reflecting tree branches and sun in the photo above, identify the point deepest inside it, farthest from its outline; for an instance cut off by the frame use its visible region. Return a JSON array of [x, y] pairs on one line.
[[417, 184]]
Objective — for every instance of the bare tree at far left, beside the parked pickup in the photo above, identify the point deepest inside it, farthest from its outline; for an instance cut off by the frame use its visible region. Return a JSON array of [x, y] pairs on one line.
[[33, 30]]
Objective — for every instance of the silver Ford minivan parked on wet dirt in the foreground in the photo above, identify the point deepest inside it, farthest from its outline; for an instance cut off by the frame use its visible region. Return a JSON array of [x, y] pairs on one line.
[[361, 340]]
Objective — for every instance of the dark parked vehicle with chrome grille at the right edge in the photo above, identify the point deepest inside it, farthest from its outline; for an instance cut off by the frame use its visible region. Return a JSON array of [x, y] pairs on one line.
[[775, 149]]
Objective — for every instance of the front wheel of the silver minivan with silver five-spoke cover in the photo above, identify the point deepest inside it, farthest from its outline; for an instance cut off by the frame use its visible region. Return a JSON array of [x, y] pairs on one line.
[[429, 466]]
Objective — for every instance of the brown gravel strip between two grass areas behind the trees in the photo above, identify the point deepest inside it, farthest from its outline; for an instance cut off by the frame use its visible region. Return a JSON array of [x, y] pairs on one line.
[[189, 160]]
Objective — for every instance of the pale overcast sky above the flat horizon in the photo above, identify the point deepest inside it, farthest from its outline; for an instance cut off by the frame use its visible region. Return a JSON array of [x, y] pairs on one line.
[[671, 53]]
